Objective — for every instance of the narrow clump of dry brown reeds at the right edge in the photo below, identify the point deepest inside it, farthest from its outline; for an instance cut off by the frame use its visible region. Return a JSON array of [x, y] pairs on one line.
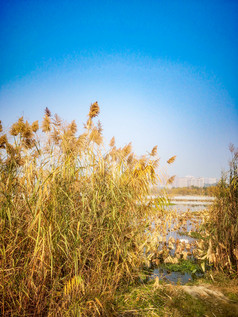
[[222, 222]]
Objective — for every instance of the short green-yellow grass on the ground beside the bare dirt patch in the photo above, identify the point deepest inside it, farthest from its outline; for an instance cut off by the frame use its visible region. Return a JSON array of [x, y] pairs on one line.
[[159, 299]]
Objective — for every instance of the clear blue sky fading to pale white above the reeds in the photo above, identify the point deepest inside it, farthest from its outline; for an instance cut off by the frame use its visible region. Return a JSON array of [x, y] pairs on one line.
[[164, 72]]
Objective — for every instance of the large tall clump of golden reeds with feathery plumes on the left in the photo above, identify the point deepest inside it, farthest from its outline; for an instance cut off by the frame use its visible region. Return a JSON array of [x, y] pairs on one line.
[[73, 219]]
